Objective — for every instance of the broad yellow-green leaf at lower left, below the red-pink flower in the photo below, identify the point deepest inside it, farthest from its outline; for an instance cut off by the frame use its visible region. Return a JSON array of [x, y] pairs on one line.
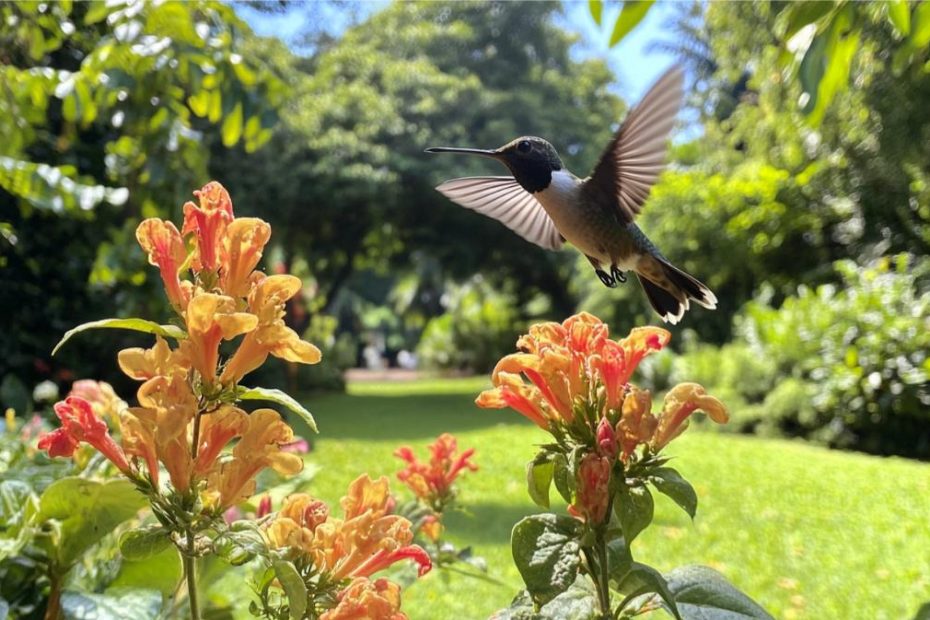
[[87, 511]]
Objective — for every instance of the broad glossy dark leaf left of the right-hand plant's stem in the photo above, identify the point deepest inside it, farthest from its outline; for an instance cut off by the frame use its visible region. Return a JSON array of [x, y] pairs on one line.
[[546, 552]]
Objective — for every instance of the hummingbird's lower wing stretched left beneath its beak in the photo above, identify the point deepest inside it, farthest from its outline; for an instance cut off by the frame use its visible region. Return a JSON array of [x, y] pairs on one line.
[[503, 199]]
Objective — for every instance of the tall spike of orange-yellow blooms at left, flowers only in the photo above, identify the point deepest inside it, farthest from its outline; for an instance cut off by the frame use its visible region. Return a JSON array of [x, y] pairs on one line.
[[185, 416]]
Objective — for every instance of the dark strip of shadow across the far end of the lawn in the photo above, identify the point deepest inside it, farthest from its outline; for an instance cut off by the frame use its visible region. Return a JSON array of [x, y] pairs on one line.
[[399, 418]]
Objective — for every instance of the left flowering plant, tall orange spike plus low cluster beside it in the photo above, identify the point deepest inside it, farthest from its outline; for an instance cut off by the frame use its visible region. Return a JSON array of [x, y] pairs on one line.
[[194, 453]]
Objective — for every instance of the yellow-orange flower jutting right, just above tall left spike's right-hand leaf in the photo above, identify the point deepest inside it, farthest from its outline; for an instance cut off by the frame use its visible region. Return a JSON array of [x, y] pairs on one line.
[[272, 336]]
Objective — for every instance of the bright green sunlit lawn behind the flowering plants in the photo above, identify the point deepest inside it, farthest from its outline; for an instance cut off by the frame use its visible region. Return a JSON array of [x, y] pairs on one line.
[[807, 532]]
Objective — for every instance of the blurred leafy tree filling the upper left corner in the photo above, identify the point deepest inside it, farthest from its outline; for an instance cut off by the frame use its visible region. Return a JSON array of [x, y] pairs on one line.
[[103, 110]]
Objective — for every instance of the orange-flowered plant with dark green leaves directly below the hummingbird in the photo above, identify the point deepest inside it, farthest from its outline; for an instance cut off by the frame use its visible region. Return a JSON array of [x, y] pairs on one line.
[[573, 381]]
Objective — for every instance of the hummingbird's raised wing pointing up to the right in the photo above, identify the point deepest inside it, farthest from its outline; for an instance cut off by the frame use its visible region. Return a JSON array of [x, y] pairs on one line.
[[636, 156]]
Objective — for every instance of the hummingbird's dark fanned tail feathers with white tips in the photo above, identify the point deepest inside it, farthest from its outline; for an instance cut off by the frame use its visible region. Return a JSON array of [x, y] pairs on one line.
[[670, 290]]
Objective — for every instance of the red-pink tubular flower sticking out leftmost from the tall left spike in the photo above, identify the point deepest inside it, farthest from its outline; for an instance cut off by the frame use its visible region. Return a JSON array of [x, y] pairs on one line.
[[80, 424]]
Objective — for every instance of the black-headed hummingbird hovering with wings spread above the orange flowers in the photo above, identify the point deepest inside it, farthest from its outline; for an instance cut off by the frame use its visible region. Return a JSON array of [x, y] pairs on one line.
[[546, 204]]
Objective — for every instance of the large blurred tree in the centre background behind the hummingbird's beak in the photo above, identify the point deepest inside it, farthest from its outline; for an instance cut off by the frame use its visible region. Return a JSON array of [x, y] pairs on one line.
[[345, 179]]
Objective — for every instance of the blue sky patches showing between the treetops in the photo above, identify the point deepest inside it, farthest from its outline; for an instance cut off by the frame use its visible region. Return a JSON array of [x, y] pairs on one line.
[[635, 67]]
